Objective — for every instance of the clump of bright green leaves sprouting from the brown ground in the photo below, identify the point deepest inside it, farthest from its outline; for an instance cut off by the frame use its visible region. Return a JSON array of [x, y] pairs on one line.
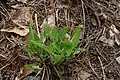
[[52, 43]]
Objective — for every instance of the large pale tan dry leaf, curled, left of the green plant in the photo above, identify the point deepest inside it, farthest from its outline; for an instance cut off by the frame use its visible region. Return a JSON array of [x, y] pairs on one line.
[[21, 19]]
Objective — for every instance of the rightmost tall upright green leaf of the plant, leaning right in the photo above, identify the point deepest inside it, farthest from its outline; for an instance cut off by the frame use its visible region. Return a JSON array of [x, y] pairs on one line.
[[75, 37]]
